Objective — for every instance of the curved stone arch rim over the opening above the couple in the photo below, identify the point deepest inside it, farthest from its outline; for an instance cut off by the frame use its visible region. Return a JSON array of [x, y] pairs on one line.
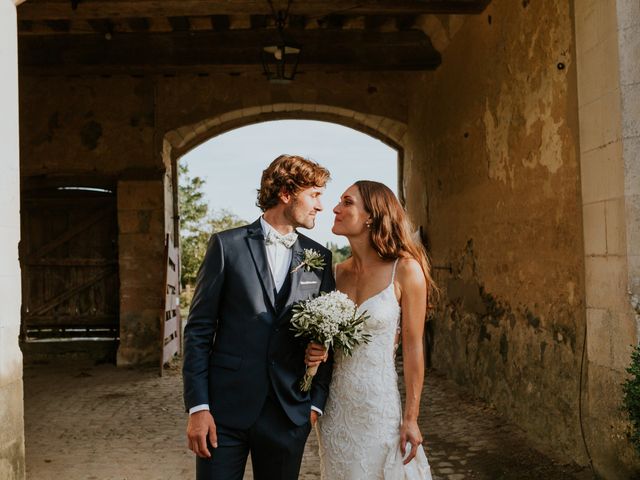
[[179, 141]]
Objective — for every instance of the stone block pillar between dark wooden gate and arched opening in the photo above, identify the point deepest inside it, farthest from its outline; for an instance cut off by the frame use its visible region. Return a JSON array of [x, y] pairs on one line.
[[141, 224]]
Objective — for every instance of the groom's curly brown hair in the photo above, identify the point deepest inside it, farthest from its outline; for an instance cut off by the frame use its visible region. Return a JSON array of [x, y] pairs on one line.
[[289, 174]]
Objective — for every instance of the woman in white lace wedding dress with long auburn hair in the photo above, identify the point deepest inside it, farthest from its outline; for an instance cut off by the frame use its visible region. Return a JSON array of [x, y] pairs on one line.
[[363, 433]]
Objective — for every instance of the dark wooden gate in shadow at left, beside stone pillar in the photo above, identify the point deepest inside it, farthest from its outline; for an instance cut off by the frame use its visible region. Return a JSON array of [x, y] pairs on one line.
[[69, 260]]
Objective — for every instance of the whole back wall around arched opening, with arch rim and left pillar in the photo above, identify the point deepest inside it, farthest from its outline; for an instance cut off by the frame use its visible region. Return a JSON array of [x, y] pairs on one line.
[[127, 132]]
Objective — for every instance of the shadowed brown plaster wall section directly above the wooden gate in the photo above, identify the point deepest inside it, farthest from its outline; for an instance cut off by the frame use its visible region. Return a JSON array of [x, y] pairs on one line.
[[90, 126]]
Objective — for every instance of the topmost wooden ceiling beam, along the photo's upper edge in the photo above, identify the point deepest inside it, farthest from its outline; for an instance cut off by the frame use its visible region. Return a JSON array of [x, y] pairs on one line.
[[87, 9]]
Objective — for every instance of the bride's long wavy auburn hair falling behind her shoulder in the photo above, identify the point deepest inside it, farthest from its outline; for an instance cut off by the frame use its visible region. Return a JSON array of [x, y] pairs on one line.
[[391, 231]]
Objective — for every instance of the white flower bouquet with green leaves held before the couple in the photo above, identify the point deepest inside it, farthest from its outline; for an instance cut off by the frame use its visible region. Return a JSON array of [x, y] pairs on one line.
[[331, 320]]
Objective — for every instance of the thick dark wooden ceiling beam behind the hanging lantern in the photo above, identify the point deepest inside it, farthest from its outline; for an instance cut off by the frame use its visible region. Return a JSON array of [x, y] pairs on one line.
[[198, 50]]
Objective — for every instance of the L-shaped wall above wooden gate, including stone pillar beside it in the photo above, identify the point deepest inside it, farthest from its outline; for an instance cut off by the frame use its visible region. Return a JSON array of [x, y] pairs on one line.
[[100, 131]]
